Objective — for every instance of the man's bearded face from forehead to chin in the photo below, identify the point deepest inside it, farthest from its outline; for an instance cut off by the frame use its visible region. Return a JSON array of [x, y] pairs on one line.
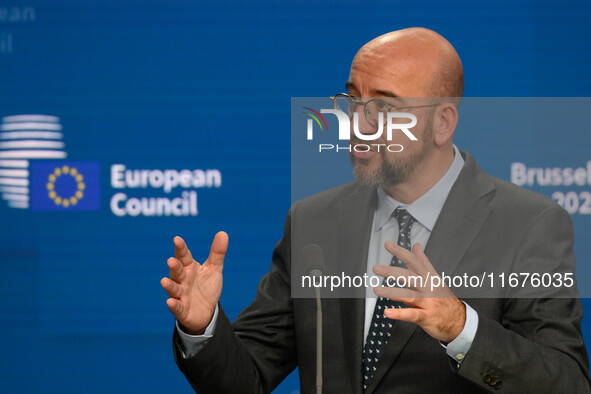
[[395, 81]]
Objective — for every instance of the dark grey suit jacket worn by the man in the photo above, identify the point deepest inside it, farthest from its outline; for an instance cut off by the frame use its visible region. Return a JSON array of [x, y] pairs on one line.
[[521, 345]]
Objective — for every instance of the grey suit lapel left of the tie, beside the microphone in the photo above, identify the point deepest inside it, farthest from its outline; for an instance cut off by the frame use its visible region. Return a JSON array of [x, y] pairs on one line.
[[355, 220]]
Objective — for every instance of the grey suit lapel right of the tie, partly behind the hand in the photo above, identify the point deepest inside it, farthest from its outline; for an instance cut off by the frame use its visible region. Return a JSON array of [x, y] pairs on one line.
[[461, 218]]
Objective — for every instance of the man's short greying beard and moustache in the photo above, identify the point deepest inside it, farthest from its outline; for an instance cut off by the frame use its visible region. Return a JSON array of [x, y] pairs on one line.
[[390, 172]]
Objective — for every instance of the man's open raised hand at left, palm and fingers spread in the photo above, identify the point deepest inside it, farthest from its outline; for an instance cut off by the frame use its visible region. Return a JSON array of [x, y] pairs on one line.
[[194, 288]]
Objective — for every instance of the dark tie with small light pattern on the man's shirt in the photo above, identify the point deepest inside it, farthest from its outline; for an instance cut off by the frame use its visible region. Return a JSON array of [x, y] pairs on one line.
[[381, 327]]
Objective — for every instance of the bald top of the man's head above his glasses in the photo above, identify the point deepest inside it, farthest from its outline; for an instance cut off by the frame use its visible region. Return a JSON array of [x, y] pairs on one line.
[[420, 62]]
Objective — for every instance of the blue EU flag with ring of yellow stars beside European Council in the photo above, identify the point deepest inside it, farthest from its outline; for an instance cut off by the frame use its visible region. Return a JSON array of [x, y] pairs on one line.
[[65, 185]]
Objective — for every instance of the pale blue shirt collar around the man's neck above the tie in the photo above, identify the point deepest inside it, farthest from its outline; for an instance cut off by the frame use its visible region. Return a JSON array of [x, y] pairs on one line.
[[425, 209]]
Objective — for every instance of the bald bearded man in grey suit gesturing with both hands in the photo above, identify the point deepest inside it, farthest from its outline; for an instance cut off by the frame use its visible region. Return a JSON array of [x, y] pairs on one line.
[[429, 195]]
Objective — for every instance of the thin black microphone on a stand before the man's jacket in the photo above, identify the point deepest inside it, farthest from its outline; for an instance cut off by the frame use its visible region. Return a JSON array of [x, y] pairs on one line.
[[314, 259]]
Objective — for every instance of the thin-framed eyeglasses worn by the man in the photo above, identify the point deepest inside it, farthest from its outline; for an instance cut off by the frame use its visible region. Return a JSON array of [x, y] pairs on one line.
[[372, 108]]
